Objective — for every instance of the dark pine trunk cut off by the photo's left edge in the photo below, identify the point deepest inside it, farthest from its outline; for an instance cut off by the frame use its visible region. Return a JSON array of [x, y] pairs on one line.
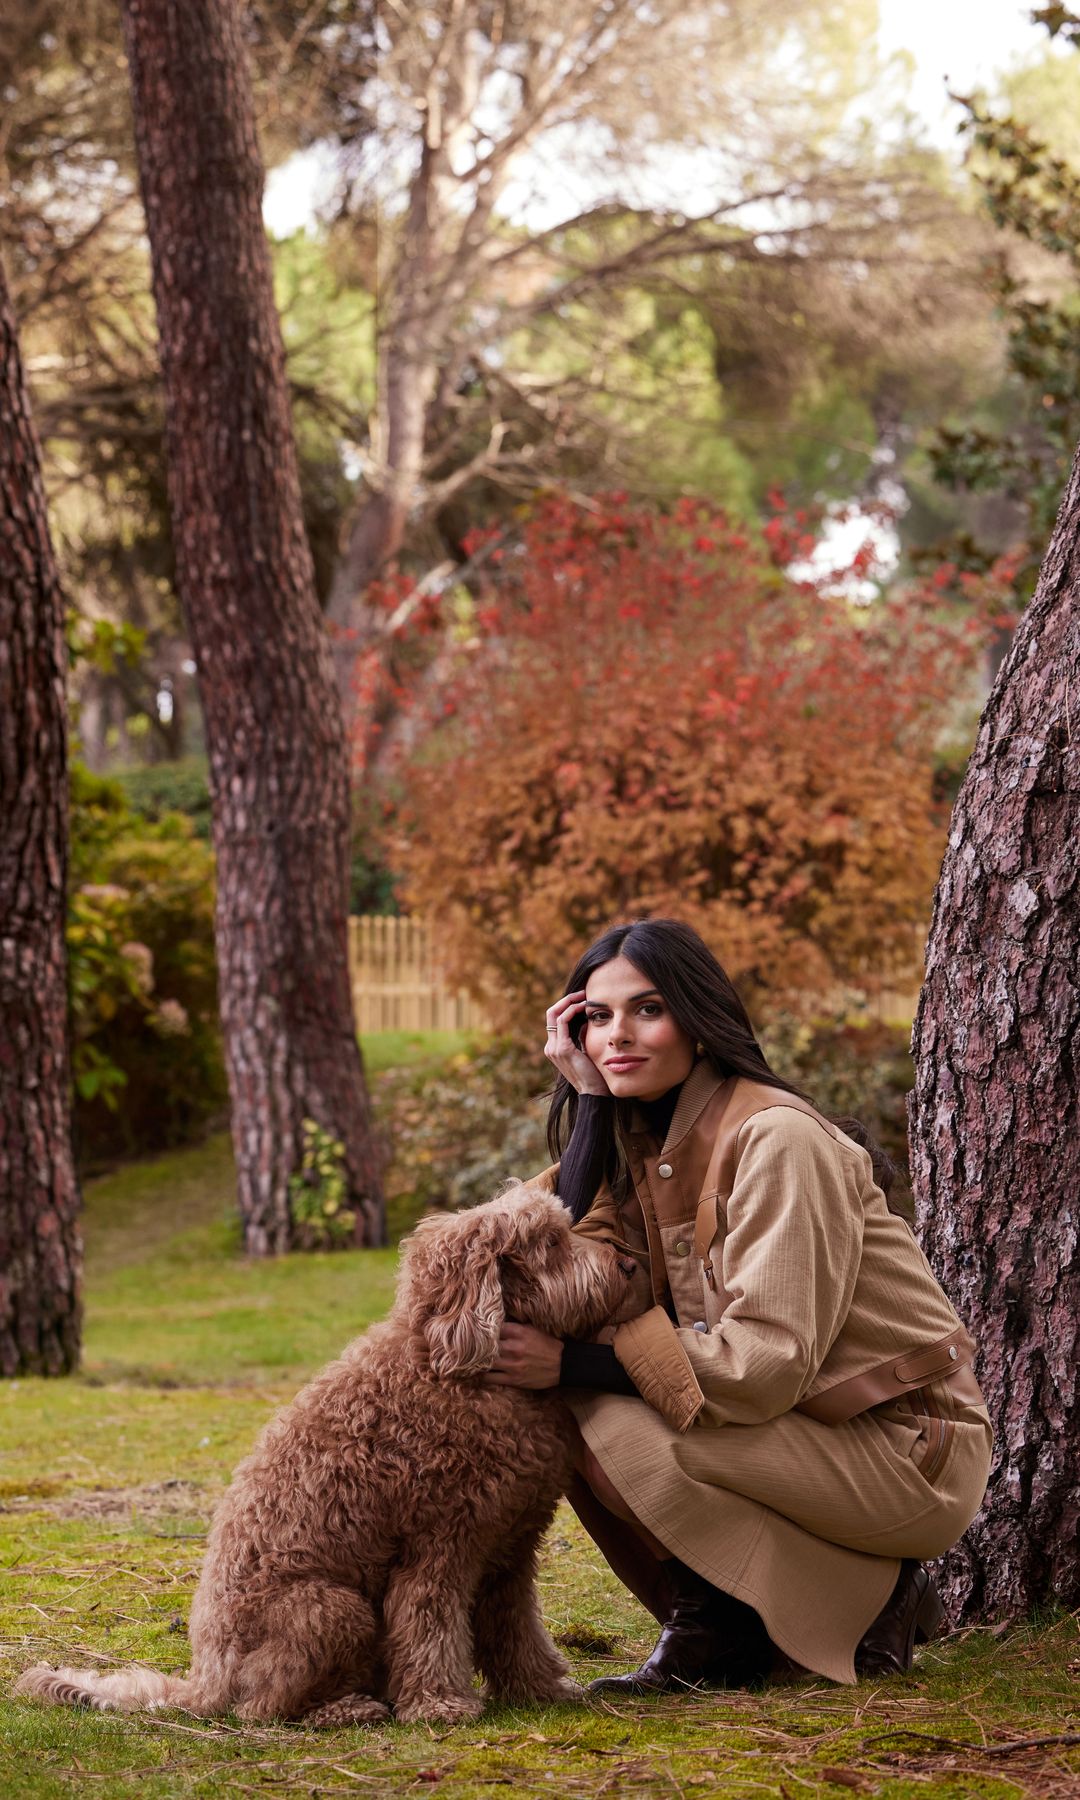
[[40, 1248]]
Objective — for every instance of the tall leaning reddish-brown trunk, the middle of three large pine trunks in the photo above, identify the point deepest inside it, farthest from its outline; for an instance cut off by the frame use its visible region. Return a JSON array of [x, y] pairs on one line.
[[273, 717]]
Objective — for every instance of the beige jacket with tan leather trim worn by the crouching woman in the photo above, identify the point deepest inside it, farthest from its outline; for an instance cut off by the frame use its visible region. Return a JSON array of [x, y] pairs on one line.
[[791, 1281]]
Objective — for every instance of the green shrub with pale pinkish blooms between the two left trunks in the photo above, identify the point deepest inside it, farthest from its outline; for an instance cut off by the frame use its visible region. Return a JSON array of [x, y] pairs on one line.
[[147, 1047]]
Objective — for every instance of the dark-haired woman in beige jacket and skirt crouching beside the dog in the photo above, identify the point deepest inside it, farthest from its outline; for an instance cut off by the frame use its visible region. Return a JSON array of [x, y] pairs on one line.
[[791, 1425]]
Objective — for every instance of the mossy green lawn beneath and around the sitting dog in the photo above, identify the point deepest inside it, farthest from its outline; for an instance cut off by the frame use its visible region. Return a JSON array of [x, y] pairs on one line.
[[105, 1491]]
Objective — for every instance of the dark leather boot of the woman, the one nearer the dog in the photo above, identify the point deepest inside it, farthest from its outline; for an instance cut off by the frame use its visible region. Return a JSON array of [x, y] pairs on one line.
[[708, 1641]]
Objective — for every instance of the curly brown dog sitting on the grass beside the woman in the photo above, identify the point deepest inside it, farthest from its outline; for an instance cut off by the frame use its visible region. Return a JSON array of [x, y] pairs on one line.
[[382, 1536]]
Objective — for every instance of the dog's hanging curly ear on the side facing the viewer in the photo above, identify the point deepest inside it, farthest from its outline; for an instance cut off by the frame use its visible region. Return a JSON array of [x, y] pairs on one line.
[[460, 1295]]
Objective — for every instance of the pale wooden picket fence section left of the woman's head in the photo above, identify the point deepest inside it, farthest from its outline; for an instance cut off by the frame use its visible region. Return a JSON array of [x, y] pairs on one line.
[[397, 980]]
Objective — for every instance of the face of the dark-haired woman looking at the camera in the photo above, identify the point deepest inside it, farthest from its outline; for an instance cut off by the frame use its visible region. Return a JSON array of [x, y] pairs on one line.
[[631, 1034]]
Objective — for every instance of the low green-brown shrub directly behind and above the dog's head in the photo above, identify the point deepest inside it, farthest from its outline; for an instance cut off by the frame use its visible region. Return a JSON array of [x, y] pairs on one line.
[[456, 1133]]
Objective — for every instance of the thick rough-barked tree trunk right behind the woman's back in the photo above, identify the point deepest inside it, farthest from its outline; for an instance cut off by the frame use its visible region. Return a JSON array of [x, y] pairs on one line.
[[994, 1115]]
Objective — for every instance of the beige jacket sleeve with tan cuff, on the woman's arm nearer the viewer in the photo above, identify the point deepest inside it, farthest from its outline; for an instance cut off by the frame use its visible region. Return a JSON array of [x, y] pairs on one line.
[[791, 1259]]
